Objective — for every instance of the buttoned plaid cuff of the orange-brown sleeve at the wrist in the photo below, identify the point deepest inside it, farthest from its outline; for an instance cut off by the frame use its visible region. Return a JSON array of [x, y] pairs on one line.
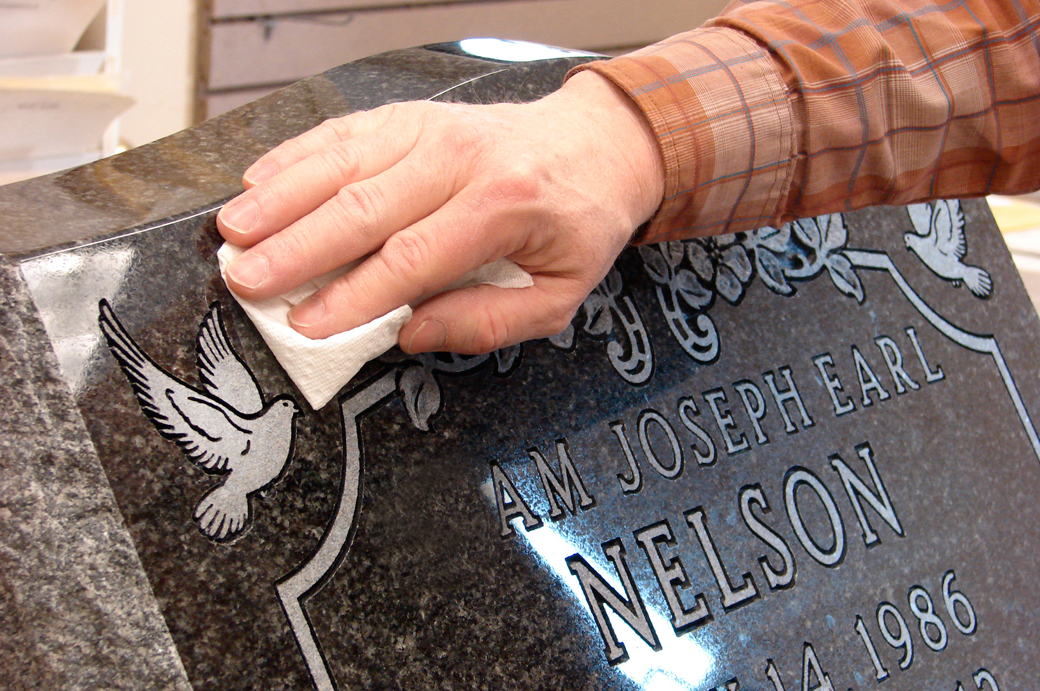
[[723, 117]]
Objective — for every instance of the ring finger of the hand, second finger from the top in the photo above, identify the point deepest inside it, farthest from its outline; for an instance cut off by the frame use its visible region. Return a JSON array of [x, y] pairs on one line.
[[303, 188]]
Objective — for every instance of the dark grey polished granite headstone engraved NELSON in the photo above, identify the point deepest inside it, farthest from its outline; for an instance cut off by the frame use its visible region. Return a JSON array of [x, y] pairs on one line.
[[640, 503]]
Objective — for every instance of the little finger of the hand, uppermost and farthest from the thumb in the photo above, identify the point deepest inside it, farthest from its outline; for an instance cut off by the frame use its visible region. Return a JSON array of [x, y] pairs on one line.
[[328, 134]]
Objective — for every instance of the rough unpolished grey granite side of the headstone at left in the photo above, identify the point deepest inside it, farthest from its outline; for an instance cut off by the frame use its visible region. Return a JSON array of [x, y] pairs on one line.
[[79, 612]]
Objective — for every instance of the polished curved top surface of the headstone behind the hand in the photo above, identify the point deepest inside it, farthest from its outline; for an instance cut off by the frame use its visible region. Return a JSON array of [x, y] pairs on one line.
[[202, 167]]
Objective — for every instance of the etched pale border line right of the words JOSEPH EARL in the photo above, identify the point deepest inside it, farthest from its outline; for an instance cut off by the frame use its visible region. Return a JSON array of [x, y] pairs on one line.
[[881, 262]]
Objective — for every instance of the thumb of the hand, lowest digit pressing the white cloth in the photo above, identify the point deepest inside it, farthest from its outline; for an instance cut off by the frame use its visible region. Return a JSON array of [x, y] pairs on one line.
[[485, 319]]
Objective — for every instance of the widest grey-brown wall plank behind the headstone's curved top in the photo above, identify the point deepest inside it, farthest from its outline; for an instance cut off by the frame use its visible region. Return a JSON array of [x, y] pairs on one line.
[[287, 49]]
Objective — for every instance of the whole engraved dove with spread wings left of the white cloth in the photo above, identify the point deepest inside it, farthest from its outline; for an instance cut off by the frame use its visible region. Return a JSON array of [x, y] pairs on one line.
[[225, 428]]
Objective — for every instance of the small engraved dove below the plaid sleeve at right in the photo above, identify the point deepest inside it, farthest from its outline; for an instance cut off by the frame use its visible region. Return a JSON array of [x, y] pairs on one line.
[[939, 241]]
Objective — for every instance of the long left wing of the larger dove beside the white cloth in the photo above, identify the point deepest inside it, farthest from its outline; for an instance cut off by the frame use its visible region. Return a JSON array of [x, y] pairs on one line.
[[209, 433]]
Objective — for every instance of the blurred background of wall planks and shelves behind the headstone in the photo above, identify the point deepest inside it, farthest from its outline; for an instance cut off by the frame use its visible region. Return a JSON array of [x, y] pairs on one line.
[[81, 80]]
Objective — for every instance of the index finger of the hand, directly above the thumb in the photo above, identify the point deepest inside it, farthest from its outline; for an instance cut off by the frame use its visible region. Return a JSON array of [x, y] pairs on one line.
[[420, 261]]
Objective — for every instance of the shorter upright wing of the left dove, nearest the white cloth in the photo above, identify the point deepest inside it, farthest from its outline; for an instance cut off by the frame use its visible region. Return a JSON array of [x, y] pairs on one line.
[[223, 373]]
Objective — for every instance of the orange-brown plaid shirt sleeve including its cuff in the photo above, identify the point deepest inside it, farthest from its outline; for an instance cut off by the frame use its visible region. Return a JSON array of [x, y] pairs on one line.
[[781, 110]]
